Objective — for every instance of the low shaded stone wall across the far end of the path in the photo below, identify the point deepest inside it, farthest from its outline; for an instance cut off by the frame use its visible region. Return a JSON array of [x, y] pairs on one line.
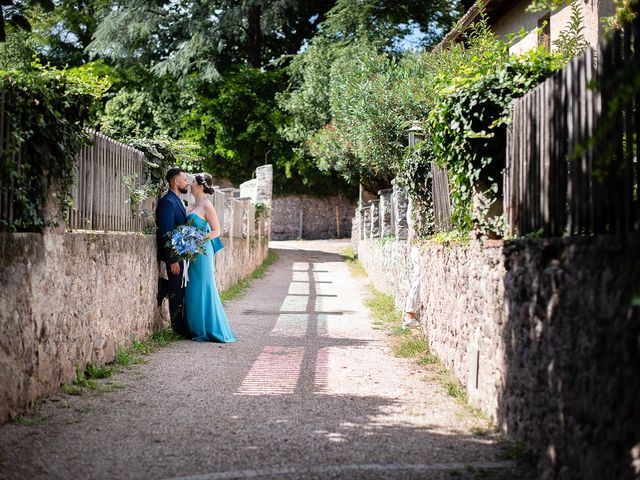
[[310, 218]]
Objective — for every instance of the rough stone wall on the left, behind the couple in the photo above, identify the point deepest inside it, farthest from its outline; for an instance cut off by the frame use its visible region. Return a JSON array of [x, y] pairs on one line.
[[73, 298]]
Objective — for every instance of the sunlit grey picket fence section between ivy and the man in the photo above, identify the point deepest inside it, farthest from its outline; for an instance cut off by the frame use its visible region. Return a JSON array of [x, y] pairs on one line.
[[100, 198]]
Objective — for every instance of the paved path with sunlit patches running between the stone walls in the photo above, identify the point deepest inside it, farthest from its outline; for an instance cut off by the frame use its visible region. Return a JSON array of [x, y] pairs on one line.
[[309, 391]]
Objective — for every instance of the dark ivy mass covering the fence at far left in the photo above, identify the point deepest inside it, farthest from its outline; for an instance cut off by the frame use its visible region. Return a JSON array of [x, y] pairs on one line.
[[47, 109]]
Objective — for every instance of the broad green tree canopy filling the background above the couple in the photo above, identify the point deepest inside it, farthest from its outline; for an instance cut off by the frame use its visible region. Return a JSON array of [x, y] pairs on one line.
[[247, 81]]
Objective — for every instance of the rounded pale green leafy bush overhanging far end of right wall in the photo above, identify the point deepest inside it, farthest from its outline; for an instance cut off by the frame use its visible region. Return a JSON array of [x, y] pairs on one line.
[[371, 101]]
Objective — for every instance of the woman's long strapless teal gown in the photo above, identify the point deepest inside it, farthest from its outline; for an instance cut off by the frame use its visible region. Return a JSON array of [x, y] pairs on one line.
[[204, 314]]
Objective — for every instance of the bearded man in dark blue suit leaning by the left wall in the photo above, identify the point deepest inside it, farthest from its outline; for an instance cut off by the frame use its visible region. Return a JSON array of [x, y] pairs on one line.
[[170, 213]]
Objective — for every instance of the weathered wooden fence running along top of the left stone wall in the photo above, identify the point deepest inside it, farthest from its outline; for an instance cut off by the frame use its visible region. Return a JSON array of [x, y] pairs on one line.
[[101, 199]]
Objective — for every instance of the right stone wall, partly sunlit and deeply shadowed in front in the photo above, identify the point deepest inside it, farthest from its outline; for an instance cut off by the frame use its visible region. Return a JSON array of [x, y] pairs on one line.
[[544, 335]]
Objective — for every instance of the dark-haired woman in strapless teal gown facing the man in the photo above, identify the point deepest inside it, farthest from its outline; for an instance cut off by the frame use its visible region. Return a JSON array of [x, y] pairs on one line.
[[204, 313]]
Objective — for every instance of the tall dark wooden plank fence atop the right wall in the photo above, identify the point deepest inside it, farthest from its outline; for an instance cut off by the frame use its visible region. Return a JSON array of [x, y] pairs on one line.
[[572, 148]]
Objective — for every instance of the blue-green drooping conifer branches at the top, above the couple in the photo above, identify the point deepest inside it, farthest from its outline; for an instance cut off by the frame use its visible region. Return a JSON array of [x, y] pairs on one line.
[[183, 36]]
